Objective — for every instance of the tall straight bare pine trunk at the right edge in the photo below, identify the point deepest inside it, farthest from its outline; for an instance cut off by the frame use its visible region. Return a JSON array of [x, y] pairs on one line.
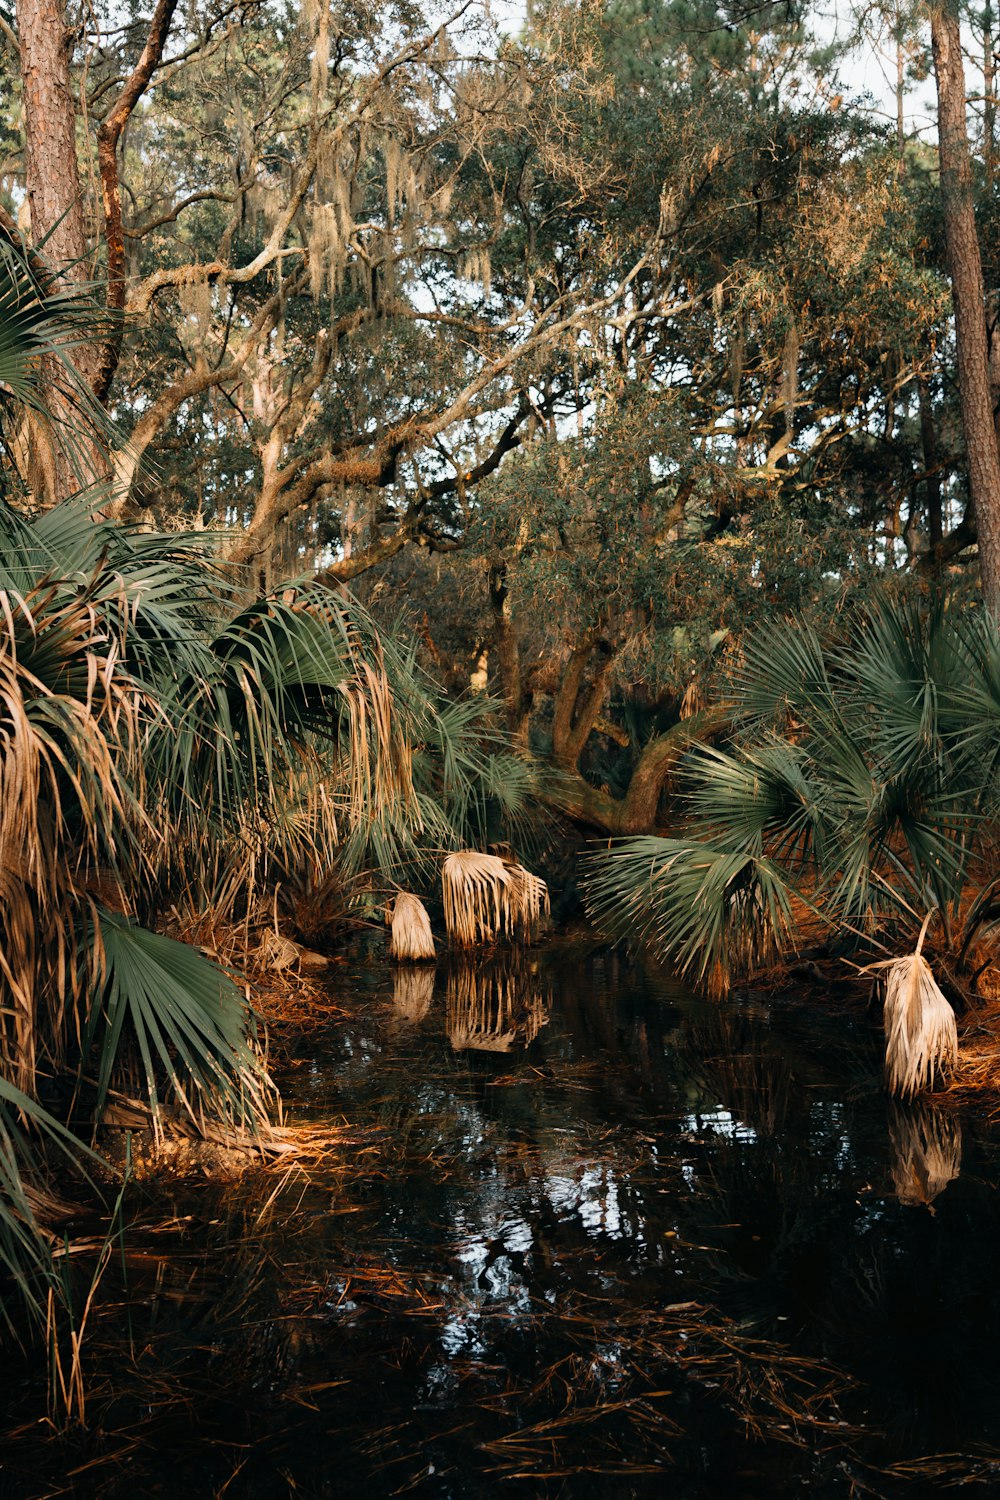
[[968, 295]]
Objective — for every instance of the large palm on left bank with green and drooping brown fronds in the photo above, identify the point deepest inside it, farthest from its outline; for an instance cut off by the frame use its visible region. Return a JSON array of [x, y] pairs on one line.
[[169, 742]]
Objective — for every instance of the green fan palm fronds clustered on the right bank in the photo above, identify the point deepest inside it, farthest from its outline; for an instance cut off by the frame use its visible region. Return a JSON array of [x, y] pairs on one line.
[[863, 779]]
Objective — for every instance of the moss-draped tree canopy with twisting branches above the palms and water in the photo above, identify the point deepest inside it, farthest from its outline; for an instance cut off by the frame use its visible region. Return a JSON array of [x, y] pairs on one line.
[[636, 313]]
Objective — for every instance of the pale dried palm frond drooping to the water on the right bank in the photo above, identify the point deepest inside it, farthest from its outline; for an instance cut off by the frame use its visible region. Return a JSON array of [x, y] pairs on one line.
[[920, 1024]]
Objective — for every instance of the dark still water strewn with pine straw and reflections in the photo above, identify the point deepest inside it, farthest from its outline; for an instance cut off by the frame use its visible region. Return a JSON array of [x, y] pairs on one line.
[[584, 1235]]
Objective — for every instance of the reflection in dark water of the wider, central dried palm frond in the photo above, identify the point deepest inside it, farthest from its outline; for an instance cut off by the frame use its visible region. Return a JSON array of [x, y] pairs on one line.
[[496, 1009]]
